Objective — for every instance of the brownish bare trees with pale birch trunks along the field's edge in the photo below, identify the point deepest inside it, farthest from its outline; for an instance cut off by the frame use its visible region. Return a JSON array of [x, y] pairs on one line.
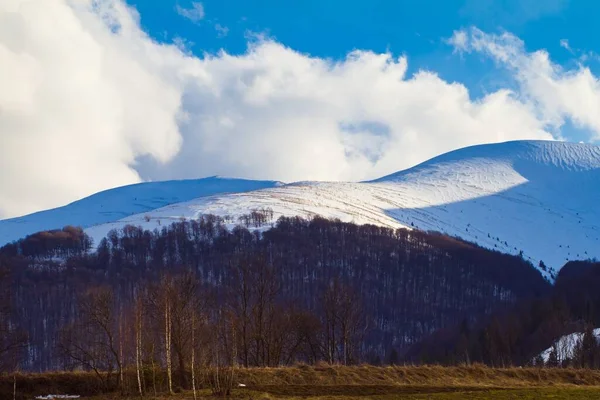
[[176, 325]]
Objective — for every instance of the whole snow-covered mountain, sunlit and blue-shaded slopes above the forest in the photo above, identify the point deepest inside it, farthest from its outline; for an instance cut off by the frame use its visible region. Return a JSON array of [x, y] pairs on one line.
[[535, 197]]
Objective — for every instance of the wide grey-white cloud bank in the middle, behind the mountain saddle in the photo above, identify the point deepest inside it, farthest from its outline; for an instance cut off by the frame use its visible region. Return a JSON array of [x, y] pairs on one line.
[[277, 113]]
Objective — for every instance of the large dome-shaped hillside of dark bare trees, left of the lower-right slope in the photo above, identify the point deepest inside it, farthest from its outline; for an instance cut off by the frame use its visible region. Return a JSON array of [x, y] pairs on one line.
[[304, 290]]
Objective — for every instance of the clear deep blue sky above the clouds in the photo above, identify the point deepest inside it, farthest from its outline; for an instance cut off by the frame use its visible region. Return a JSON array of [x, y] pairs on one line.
[[417, 29]]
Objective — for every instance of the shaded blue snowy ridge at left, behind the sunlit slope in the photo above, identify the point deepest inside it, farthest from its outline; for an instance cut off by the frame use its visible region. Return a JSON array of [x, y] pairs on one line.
[[114, 204]]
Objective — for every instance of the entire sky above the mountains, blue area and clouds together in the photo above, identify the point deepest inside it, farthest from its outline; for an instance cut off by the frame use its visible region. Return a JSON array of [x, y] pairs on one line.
[[96, 94]]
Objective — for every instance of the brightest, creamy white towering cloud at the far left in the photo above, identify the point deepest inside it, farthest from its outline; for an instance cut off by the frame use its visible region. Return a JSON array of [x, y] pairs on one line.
[[84, 92]]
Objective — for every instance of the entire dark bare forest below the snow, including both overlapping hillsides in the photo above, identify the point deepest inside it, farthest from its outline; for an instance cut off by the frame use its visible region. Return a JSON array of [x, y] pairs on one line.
[[294, 290]]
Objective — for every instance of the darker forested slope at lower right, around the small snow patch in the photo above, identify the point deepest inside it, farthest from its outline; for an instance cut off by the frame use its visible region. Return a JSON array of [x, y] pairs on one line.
[[514, 336]]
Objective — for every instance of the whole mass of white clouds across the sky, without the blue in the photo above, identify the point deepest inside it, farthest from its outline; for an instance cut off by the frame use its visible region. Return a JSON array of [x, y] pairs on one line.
[[89, 102]]
